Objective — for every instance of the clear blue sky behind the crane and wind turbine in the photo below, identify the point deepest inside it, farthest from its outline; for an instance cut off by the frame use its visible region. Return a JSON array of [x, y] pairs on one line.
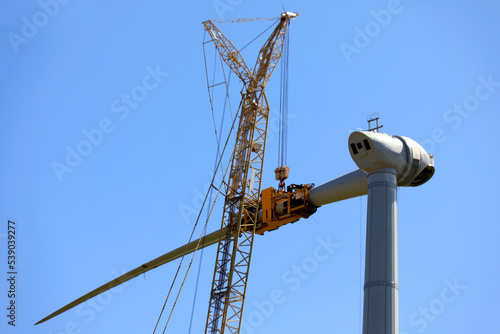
[[124, 83]]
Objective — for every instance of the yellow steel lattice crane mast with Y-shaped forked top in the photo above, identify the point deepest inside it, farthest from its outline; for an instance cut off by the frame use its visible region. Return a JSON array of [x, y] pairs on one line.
[[242, 197]]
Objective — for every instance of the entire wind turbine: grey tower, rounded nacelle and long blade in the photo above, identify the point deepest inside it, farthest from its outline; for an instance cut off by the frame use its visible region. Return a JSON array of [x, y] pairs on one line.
[[385, 162]]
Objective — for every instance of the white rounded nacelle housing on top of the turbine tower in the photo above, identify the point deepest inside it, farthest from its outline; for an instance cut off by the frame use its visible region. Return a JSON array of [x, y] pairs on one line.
[[373, 151]]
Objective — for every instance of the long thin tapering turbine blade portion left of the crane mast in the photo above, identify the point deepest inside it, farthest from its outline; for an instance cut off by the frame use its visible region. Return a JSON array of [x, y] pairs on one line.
[[208, 240]]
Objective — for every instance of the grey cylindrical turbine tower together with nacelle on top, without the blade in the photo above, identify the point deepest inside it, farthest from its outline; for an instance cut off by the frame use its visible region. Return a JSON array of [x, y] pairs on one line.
[[389, 161]]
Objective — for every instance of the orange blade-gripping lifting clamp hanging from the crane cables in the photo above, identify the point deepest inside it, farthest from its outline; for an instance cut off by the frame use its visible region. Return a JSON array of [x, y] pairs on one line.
[[284, 207]]
